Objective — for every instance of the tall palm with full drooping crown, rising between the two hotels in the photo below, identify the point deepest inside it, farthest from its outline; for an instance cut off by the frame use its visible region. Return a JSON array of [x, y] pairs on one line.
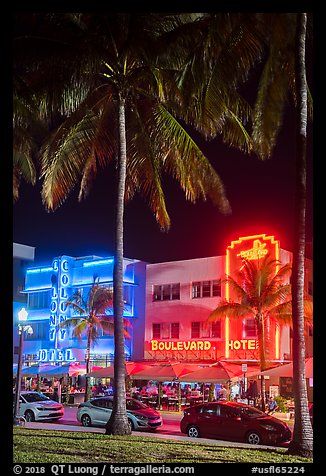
[[126, 119]]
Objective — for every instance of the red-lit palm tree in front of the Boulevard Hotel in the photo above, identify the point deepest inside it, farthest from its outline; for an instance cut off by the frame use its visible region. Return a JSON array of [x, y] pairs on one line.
[[260, 293]]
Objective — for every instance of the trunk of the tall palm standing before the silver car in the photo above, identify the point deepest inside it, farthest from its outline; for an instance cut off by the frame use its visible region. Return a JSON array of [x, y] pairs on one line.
[[118, 422]]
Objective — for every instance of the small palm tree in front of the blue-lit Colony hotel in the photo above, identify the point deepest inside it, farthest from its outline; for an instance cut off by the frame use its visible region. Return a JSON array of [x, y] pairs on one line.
[[92, 320]]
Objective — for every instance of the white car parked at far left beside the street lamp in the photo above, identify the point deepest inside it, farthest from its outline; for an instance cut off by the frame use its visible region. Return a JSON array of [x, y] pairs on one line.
[[35, 406]]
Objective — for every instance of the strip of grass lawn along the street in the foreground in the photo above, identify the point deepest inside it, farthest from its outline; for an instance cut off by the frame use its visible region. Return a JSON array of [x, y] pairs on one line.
[[54, 446]]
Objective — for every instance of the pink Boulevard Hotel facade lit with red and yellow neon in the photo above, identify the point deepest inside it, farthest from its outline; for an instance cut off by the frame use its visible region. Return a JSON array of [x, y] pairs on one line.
[[180, 295]]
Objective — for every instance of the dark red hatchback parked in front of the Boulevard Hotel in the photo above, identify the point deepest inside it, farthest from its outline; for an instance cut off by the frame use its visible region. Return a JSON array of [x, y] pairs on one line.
[[234, 421]]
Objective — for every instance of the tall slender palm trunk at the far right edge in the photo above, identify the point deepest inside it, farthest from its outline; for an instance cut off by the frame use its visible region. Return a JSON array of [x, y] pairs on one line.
[[302, 442]]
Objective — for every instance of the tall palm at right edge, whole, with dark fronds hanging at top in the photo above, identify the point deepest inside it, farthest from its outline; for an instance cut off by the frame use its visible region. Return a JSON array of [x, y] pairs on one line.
[[277, 42]]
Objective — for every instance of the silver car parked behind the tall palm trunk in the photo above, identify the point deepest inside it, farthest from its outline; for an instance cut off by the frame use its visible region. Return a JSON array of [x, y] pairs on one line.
[[97, 411]]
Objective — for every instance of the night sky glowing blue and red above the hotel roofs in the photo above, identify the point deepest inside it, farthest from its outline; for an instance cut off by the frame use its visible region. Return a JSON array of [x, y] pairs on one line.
[[261, 195]]
